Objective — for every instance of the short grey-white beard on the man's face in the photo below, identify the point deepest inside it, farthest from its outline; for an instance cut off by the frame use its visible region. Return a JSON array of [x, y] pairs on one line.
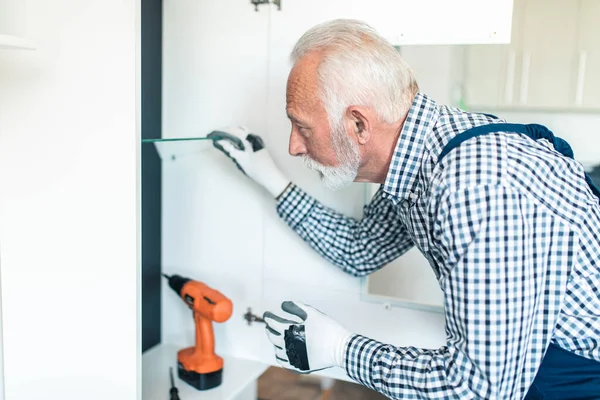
[[349, 161]]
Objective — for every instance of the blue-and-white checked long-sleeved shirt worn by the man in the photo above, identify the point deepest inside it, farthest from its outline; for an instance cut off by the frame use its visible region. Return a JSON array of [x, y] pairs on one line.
[[512, 232]]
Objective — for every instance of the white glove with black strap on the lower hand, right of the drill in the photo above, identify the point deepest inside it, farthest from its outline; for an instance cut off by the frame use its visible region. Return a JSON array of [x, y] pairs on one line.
[[305, 339]]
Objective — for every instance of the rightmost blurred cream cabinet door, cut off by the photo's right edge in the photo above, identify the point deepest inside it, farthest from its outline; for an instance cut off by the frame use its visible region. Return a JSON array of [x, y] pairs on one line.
[[587, 91]]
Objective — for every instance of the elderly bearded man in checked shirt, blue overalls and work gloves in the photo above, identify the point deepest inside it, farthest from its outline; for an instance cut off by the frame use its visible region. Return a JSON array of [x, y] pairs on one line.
[[508, 220]]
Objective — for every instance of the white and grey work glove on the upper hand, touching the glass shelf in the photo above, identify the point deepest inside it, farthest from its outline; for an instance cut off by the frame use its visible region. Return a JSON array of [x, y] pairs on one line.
[[251, 157]]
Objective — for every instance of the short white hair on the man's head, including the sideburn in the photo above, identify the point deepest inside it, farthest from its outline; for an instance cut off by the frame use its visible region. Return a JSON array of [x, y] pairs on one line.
[[359, 67]]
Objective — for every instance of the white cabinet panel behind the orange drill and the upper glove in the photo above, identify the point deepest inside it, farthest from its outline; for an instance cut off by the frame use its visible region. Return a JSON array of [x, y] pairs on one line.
[[215, 61]]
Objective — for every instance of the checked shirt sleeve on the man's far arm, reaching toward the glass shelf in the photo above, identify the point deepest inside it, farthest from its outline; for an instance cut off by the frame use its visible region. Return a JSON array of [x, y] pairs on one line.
[[357, 247]]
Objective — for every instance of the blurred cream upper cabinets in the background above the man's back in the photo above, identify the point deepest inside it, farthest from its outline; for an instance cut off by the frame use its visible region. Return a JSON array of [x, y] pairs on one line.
[[551, 63]]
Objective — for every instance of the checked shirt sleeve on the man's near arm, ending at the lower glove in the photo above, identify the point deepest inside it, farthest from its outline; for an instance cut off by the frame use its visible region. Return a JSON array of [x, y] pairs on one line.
[[507, 262]]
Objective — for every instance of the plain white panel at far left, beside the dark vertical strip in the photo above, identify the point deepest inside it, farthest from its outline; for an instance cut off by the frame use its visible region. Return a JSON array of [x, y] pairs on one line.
[[68, 202]]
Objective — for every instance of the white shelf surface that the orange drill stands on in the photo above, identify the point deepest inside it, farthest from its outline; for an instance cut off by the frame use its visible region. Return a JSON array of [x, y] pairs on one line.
[[156, 383]]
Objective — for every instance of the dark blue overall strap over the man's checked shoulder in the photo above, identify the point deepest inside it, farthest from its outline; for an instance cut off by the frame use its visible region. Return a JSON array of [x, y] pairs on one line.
[[534, 131]]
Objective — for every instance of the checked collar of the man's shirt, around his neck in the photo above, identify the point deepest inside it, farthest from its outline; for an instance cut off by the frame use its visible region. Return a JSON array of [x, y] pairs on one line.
[[406, 160]]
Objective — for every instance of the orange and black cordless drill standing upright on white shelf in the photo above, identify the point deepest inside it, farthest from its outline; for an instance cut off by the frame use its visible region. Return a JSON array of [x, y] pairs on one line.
[[199, 366]]
